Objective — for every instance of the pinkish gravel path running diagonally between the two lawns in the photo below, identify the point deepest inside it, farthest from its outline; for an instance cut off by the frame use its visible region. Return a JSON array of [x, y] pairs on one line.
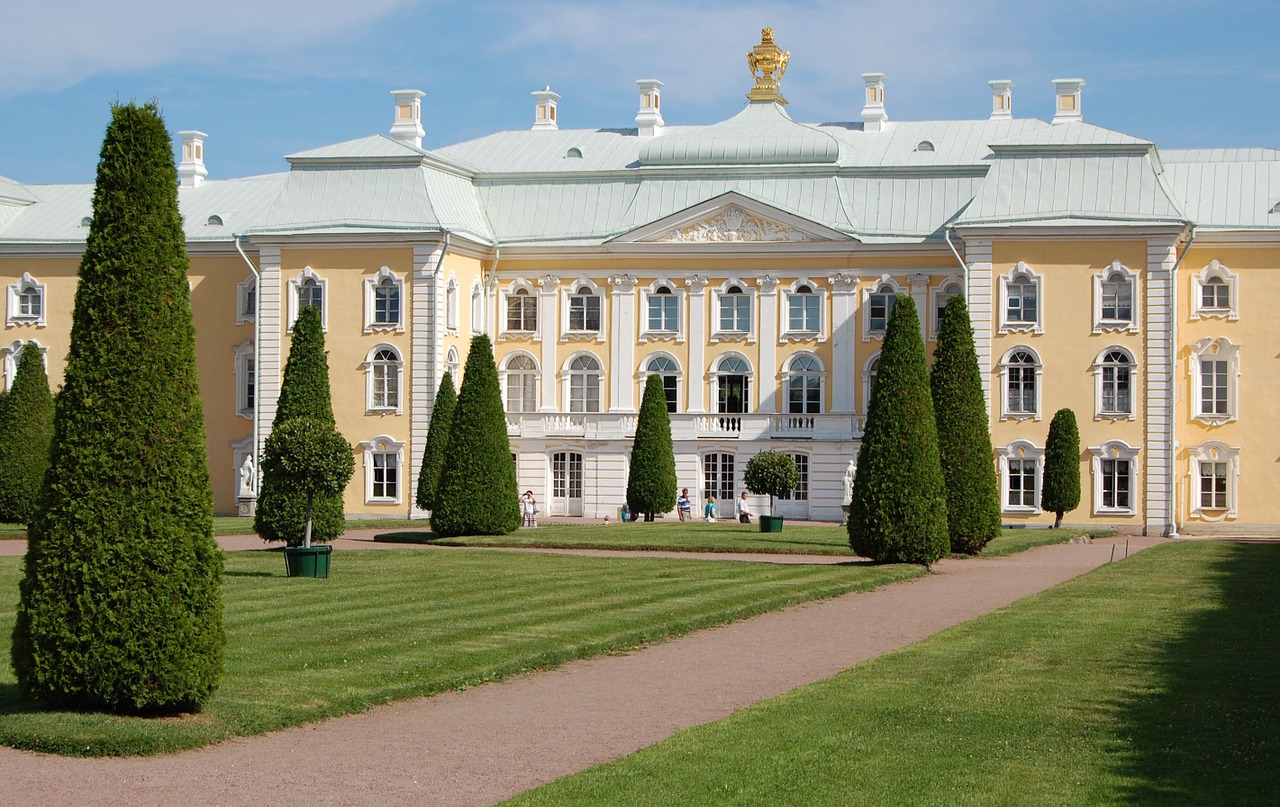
[[492, 742]]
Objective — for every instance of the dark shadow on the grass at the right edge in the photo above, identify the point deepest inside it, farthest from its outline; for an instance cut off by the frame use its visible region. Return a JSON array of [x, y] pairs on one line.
[[1209, 732]]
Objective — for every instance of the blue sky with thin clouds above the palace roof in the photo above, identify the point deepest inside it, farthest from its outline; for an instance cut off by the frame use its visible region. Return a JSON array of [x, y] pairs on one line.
[[268, 79]]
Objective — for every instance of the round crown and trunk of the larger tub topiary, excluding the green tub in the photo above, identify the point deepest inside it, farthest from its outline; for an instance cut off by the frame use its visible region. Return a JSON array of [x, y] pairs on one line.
[[310, 458]]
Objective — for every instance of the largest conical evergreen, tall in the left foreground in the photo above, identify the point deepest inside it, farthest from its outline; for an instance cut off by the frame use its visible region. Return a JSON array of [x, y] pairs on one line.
[[122, 595]]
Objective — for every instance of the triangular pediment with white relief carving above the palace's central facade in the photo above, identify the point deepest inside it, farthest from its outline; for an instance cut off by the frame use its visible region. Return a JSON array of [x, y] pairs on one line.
[[732, 218]]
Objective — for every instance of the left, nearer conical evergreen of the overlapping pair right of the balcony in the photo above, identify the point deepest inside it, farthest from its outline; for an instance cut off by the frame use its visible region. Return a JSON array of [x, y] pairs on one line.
[[899, 513]]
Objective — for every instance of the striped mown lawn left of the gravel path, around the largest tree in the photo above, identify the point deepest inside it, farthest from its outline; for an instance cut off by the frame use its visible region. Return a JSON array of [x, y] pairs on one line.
[[399, 624]]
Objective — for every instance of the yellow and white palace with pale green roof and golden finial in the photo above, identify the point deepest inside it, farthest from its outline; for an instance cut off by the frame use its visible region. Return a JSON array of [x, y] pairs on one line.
[[751, 265]]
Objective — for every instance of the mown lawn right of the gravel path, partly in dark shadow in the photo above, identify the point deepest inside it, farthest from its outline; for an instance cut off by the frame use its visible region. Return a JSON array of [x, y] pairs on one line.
[[1155, 681]]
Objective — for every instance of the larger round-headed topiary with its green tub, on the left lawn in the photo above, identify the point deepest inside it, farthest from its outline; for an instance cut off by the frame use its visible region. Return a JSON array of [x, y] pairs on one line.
[[309, 457]]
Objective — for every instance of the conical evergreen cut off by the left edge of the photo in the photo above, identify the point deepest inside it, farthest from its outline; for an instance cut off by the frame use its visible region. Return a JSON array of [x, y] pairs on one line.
[[26, 431]]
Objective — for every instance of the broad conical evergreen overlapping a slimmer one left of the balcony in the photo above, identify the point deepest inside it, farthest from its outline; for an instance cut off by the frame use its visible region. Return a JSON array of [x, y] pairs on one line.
[[478, 494]]
